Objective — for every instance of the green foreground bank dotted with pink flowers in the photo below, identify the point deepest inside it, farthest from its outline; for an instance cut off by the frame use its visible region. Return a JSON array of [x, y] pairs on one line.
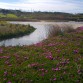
[[56, 60]]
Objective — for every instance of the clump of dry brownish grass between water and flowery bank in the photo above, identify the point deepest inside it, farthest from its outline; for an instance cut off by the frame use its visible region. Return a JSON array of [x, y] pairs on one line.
[[58, 29]]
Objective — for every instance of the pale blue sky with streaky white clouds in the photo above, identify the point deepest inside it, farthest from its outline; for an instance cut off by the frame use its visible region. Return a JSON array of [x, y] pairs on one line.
[[69, 6]]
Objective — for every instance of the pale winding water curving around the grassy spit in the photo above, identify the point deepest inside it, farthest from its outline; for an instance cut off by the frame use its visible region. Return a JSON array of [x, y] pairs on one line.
[[41, 33]]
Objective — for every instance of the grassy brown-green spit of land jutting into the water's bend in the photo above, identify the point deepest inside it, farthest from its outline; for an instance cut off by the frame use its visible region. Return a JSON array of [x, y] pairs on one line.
[[8, 30]]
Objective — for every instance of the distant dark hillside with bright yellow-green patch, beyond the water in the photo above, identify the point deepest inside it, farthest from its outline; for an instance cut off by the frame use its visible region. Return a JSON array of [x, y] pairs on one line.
[[6, 14]]
